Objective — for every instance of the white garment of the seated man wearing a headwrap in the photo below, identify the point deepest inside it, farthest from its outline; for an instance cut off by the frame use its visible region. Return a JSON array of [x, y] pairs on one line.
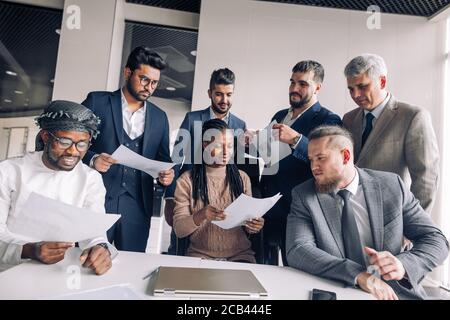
[[82, 187]]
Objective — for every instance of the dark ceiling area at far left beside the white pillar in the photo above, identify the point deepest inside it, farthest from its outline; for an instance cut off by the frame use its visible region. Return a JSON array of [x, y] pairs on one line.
[[28, 53]]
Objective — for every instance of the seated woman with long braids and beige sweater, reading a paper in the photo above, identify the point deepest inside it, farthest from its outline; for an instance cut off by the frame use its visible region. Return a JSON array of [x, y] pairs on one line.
[[204, 192]]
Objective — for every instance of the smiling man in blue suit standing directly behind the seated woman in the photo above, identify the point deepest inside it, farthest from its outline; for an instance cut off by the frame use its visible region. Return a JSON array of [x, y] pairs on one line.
[[188, 142]]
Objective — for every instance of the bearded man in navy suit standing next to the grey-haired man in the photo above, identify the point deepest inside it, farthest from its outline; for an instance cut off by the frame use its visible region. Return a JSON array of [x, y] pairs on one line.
[[293, 126]]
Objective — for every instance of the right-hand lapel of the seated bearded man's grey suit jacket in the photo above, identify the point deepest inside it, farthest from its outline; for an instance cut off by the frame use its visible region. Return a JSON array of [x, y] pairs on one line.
[[374, 202]]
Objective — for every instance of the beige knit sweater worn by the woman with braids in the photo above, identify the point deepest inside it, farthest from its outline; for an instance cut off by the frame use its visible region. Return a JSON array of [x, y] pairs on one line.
[[208, 240]]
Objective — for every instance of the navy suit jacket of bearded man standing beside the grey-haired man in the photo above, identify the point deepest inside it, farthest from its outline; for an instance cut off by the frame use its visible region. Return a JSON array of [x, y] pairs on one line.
[[295, 168]]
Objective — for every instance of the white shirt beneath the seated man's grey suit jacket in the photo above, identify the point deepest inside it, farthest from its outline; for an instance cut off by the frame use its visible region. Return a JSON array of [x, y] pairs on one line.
[[359, 204]]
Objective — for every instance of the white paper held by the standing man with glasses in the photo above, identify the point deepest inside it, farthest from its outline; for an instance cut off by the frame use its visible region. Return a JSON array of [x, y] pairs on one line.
[[131, 159]]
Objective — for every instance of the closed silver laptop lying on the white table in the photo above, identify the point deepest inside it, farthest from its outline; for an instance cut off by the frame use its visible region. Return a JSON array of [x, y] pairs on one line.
[[181, 281]]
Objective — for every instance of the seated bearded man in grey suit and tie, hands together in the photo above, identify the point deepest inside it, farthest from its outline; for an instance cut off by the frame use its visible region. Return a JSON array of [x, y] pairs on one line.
[[347, 218]]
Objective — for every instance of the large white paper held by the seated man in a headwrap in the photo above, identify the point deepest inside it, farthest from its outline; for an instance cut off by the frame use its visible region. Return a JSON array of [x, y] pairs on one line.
[[45, 219]]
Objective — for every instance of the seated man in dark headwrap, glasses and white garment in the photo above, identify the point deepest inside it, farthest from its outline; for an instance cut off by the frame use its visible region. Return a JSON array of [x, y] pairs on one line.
[[54, 171]]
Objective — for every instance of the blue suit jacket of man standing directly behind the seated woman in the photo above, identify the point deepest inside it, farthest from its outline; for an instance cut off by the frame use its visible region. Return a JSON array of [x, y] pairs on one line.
[[199, 116]]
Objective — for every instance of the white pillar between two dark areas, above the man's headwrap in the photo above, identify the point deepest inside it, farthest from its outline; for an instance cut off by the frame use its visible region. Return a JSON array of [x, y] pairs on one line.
[[89, 57]]
